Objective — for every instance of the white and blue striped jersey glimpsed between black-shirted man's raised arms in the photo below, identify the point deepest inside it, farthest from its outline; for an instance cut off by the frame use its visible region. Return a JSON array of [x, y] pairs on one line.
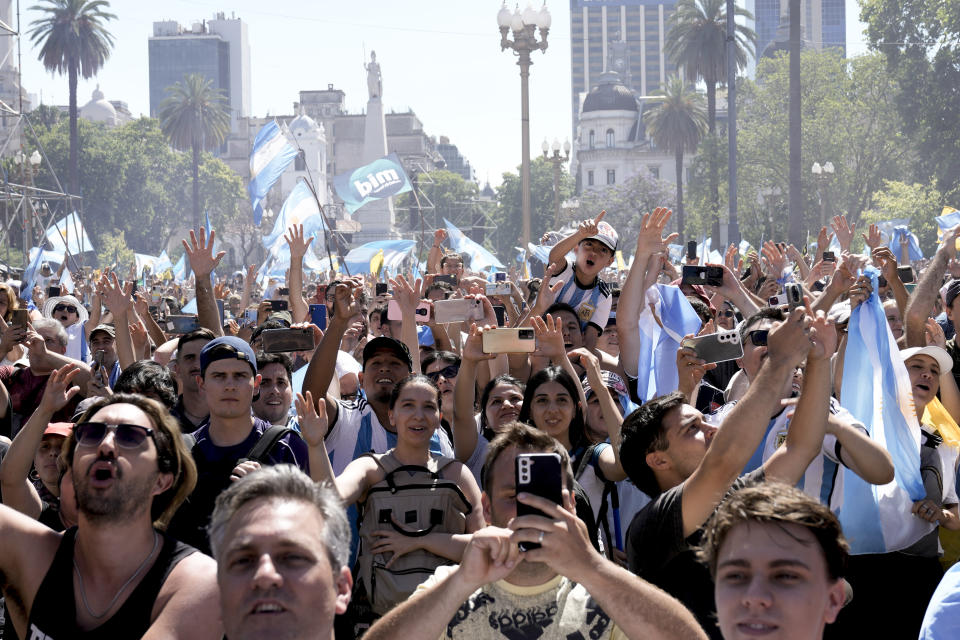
[[822, 479]]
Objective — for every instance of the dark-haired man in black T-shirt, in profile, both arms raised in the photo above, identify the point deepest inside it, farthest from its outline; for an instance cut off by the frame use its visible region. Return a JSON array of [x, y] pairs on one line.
[[687, 465]]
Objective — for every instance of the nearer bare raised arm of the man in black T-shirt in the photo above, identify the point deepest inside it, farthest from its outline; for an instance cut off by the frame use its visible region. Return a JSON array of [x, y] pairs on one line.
[[743, 427]]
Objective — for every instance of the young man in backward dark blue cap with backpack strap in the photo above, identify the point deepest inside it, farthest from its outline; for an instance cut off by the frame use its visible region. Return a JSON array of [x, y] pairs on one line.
[[230, 380]]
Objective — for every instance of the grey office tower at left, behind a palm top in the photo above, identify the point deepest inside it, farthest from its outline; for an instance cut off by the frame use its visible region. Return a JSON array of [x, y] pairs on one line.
[[219, 49]]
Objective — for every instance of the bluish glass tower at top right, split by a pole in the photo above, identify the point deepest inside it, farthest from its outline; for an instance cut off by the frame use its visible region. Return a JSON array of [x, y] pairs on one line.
[[822, 22]]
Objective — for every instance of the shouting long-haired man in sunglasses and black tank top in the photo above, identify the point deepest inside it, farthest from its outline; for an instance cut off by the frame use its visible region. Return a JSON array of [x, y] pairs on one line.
[[116, 575]]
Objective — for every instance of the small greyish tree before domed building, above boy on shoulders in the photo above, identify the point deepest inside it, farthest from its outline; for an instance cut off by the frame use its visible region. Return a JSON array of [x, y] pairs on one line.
[[625, 204]]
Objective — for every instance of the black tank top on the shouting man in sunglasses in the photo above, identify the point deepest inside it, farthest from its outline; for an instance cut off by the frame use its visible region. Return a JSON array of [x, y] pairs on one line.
[[54, 615]]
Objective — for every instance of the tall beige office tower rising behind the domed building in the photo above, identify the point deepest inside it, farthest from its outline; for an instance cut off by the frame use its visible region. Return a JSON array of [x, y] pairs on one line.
[[626, 36]]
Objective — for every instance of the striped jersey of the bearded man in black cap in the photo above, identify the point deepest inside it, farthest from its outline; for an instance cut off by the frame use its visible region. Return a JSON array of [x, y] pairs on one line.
[[357, 431]]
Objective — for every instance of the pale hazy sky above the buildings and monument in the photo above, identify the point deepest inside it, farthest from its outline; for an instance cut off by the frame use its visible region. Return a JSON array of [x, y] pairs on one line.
[[440, 58]]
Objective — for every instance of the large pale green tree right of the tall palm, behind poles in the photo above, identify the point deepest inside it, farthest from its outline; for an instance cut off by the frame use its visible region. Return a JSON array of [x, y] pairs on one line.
[[849, 118]]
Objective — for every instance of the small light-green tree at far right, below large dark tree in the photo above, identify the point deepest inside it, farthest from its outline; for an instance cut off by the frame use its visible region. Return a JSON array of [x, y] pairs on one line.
[[915, 202]]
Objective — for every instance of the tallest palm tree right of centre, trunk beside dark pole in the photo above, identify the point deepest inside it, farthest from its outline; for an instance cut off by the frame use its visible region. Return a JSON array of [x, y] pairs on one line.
[[697, 43]]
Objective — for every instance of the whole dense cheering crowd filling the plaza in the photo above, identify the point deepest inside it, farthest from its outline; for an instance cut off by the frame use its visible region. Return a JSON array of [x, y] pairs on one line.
[[470, 454]]
